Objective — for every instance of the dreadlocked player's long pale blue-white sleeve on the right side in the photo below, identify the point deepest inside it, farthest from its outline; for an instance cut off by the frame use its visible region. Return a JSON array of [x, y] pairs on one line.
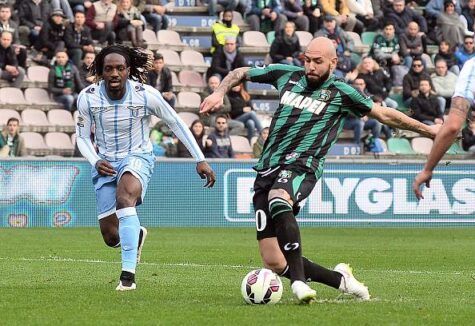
[[160, 108]]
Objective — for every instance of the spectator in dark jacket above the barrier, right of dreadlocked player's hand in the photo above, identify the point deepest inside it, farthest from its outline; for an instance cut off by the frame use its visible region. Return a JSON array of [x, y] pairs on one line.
[[218, 143]]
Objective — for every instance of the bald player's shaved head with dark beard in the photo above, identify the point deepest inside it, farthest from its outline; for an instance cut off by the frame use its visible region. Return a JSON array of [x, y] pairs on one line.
[[320, 60]]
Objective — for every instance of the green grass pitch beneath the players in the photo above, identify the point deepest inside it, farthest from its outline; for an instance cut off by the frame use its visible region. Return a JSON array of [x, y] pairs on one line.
[[193, 276]]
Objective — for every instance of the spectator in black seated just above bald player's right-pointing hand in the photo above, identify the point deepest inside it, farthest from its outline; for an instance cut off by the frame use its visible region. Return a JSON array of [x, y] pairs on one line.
[[425, 105]]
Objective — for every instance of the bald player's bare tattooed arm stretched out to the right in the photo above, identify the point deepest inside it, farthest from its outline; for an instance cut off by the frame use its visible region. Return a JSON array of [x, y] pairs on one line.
[[396, 119]]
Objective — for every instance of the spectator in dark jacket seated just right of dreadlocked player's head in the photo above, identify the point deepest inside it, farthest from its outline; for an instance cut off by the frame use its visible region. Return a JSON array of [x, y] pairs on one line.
[[160, 77]]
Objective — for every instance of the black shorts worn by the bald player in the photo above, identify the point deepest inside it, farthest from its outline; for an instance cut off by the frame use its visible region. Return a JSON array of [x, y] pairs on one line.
[[297, 182]]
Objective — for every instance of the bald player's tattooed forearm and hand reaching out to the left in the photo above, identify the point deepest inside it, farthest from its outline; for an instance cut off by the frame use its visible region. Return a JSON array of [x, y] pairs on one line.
[[215, 100]]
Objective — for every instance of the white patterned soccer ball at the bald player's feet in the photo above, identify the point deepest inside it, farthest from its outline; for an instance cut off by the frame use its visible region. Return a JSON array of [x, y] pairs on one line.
[[261, 286]]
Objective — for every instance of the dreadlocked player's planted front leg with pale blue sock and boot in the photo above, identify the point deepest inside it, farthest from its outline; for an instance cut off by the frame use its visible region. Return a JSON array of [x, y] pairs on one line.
[[128, 193]]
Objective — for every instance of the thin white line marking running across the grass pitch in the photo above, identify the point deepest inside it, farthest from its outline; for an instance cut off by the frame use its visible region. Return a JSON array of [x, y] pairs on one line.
[[185, 264]]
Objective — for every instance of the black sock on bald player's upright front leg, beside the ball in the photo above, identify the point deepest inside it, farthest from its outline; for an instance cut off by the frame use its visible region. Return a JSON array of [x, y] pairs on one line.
[[288, 236]]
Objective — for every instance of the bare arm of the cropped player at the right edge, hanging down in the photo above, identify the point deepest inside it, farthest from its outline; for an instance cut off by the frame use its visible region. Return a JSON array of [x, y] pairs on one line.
[[448, 133]]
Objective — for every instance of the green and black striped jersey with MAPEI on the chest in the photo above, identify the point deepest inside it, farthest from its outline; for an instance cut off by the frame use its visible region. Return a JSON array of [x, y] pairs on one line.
[[308, 120]]
